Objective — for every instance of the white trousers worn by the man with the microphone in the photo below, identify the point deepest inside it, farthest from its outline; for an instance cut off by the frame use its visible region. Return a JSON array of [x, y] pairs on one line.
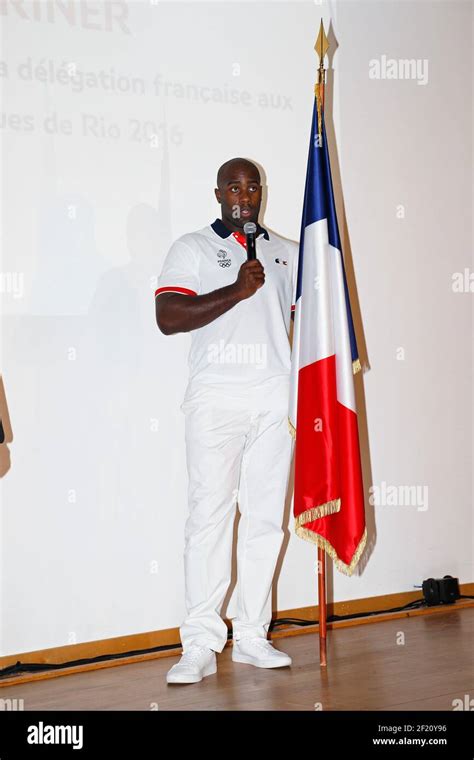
[[236, 453]]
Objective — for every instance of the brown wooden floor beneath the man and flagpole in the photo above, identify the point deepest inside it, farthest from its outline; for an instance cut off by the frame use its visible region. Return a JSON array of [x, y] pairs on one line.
[[368, 669]]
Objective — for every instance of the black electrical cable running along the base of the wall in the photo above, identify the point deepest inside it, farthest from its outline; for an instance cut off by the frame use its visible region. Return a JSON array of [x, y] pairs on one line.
[[32, 667]]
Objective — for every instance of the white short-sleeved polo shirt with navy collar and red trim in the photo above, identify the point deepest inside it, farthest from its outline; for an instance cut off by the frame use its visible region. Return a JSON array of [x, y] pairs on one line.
[[244, 353]]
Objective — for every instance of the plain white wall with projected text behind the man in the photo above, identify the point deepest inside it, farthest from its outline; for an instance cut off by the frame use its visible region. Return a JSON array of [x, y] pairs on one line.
[[94, 505]]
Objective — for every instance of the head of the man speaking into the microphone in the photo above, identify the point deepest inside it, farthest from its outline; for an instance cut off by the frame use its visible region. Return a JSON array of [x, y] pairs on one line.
[[239, 192]]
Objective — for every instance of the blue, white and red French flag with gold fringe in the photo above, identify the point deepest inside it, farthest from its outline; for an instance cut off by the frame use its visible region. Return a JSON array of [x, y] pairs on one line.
[[328, 493]]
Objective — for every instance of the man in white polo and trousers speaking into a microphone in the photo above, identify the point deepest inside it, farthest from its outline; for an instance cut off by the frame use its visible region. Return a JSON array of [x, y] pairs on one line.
[[238, 444]]
